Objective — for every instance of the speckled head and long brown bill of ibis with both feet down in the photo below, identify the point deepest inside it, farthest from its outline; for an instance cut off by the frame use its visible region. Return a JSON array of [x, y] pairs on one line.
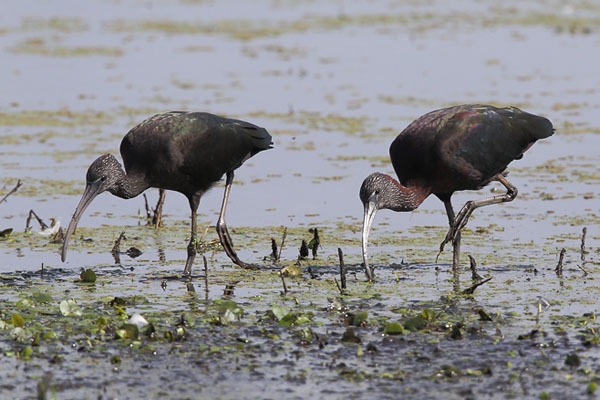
[[102, 175]]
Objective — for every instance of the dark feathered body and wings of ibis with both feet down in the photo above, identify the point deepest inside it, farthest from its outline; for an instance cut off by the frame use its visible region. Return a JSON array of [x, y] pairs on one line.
[[196, 149]]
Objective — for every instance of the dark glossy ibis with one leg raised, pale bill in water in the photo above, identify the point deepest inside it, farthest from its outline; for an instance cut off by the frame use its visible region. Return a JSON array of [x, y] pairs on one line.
[[448, 150]]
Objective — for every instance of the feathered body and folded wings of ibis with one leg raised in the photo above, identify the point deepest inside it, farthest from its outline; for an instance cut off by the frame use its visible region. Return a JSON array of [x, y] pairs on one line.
[[469, 144]]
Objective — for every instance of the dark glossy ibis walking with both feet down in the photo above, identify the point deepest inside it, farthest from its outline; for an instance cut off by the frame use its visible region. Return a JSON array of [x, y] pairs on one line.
[[187, 152]]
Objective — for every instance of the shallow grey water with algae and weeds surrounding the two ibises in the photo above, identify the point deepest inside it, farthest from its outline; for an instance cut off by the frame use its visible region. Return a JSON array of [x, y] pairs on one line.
[[333, 82]]
